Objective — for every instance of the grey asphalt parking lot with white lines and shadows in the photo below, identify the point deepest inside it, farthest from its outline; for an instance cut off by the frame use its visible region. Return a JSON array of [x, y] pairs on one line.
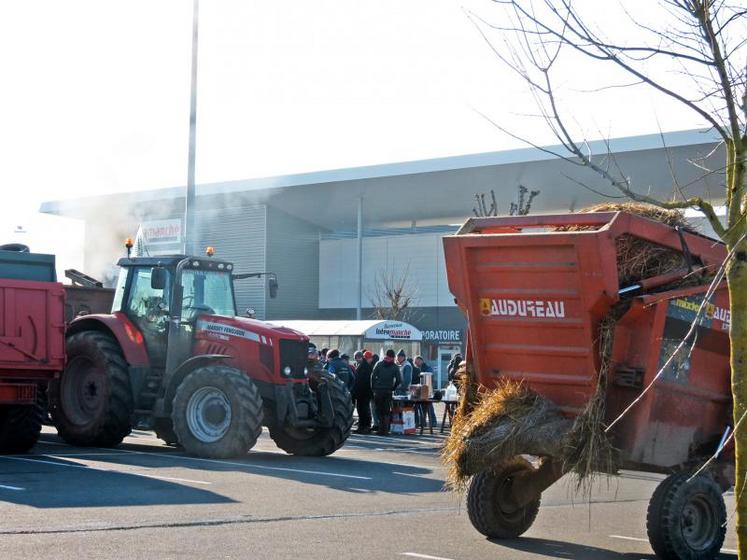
[[375, 498]]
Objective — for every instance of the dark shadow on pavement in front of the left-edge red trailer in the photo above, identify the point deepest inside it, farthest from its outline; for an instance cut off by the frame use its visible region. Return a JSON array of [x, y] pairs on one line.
[[68, 484]]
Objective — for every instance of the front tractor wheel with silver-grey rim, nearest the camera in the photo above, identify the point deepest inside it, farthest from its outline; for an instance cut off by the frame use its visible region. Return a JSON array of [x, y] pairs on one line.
[[217, 412]]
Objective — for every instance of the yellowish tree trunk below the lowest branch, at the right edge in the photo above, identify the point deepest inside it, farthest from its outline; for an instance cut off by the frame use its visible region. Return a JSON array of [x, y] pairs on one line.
[[737, 278]]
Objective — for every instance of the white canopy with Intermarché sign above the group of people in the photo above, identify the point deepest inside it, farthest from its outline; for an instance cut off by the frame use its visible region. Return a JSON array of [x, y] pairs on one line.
[[368, 330]]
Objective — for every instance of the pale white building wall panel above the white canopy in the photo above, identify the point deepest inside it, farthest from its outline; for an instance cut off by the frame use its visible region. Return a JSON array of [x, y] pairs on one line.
[[417, 256]]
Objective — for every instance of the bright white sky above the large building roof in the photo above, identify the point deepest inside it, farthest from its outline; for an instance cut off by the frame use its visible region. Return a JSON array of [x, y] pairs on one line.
[[95, 95]]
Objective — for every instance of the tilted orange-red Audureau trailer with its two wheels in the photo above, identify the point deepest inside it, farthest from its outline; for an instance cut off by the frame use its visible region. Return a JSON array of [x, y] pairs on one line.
[[535, 290]]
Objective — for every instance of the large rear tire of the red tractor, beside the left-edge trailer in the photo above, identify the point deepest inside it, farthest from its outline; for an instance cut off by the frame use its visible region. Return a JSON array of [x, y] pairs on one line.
[[91, 404]]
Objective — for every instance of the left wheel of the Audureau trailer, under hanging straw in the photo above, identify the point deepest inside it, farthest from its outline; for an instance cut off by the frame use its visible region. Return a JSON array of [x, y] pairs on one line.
[[490, 503]]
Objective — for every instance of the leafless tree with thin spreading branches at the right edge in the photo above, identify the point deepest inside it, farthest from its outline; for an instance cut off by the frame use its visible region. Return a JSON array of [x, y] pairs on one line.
[[694, 55]]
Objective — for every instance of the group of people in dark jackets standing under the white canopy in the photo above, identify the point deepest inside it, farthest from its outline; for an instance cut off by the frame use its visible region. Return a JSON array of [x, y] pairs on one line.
[[372, 380]]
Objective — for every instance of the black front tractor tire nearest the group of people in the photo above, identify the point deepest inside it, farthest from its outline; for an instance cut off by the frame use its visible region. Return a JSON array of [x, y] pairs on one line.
[[319, 442]]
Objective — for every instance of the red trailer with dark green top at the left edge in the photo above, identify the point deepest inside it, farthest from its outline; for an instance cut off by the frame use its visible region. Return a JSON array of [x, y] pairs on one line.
[[32, 344]]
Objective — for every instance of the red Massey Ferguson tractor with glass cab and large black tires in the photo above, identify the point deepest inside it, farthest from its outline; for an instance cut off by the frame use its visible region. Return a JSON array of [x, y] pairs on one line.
[[173, 355]]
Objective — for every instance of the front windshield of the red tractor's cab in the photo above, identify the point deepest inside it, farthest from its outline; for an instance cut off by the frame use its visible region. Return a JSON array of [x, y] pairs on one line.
[[207, 291]]
